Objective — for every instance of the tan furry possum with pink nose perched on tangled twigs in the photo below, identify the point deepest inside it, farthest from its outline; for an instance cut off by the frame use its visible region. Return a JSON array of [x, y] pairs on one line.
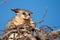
[[22, 17]]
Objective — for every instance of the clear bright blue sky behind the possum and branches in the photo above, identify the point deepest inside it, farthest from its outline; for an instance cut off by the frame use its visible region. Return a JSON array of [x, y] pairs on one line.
[[38, 8]]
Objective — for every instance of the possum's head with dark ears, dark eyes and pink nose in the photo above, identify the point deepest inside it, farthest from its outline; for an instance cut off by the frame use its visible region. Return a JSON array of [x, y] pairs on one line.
[[25, 14]]
